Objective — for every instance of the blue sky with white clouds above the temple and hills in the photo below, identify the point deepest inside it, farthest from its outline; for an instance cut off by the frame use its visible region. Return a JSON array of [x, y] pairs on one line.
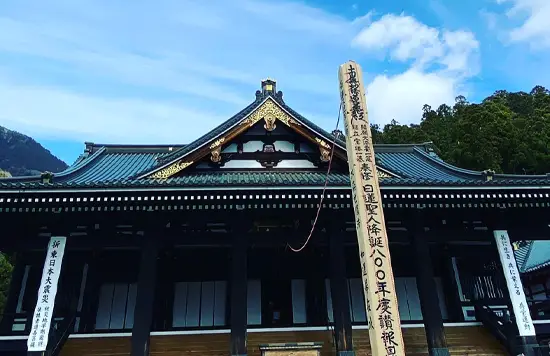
[[166, 71]]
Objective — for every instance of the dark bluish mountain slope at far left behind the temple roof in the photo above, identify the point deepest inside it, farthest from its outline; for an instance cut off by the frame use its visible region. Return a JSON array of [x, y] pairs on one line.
[[21, 155]]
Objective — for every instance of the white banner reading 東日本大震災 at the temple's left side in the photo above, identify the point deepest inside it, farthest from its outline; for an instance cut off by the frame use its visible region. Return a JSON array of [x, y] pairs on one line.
[[42, 318]]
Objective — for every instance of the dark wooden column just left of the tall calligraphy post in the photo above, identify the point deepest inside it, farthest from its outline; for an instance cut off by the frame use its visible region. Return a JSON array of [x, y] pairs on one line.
[[340, 293]]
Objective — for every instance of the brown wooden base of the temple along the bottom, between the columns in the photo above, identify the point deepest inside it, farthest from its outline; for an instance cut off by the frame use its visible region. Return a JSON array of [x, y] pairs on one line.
[[462, 341]]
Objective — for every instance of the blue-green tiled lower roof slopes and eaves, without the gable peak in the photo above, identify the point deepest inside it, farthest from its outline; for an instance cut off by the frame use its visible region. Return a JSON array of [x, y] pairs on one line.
[[116, 166]]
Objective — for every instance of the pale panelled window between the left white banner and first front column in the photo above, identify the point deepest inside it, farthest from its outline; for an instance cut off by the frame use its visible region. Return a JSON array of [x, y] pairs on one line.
[[116, 306]]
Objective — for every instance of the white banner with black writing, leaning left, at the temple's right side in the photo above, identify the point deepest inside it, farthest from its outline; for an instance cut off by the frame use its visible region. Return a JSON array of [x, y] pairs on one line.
[[513, 281]]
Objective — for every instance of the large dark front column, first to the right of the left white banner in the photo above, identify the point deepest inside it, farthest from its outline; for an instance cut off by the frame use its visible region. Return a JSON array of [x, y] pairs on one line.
[[143, 311]]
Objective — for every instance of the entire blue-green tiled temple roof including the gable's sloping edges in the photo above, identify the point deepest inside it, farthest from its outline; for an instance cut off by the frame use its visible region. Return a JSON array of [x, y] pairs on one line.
[[127, 166]]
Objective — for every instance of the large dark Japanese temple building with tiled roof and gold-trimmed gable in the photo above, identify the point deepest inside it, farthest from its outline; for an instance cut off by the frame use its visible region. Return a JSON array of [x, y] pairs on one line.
[[195, 249]]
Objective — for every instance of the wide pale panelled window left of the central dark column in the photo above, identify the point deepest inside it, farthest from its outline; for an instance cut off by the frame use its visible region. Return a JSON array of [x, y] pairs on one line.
[[199, 304]]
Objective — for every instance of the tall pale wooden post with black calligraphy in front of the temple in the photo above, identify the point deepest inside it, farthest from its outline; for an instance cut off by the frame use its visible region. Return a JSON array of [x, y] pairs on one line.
[[385, 333]]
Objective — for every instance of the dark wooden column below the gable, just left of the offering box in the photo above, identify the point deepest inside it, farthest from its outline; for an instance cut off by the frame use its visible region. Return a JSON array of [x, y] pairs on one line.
[[238, 310]]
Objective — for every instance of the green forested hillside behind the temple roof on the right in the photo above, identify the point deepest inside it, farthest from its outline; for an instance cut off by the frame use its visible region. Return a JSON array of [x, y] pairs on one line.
[[506, 132]]
